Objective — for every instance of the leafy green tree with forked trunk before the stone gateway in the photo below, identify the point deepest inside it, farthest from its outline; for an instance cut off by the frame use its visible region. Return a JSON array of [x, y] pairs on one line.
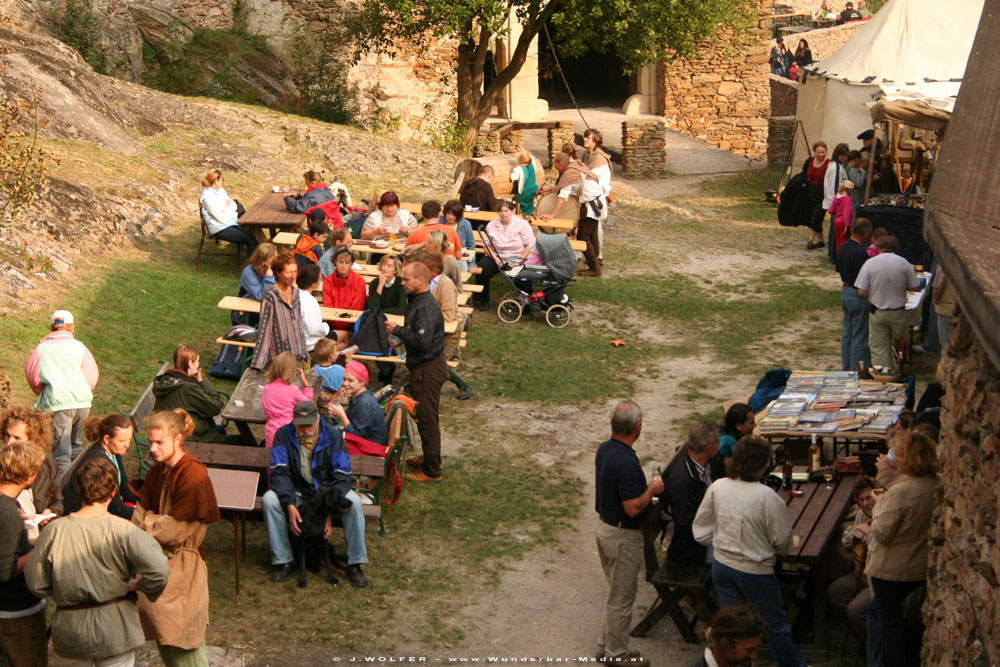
[[639, 32]]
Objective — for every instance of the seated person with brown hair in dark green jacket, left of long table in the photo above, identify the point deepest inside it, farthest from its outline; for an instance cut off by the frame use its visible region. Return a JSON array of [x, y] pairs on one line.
[[185, 386]]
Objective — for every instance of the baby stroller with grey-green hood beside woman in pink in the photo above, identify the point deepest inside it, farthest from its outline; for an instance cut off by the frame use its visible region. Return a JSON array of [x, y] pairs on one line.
[[540, 289]]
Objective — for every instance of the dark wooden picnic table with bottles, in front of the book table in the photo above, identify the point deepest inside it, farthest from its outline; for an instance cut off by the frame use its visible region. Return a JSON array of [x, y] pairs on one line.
[[816, 518]]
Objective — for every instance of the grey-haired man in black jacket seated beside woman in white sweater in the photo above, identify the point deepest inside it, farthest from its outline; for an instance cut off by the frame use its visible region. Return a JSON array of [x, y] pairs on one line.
[[684, 487]]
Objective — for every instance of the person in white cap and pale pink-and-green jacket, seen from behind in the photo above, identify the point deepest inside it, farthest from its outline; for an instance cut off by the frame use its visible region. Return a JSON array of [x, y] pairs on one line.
[[62, 373]]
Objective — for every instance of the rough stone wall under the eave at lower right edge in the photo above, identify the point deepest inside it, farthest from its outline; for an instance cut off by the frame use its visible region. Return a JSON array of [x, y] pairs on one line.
[[963, 602]]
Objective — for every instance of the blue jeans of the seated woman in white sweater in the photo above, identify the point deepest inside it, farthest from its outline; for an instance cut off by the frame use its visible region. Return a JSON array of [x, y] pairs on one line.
[[762, 591]]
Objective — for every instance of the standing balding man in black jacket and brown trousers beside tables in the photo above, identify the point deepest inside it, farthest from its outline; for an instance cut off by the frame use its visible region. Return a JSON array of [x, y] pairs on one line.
[[423, 336]]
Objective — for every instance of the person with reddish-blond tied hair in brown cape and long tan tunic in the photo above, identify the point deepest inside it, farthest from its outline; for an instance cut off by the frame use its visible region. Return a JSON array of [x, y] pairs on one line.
[[174, 504]]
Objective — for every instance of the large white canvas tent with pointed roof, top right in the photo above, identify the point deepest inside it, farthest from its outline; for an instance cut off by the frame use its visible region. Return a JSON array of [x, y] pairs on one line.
[[909, 45]]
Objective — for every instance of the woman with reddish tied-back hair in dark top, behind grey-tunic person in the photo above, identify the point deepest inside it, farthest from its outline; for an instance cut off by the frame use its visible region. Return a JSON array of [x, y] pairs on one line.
[[111, 437]]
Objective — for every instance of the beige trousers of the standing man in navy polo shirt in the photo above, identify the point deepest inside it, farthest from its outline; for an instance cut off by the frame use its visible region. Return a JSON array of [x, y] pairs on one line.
[[621, 554]]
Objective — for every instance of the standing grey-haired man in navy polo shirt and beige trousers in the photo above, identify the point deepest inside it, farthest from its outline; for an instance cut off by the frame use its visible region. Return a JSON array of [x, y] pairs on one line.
[[624, 504]]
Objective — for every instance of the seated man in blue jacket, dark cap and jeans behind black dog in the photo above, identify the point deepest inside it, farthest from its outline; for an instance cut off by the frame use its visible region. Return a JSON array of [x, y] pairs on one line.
[[306, 455]]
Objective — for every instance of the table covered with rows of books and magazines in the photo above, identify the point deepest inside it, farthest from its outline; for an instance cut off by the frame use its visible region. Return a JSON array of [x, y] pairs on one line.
[[833, 404]]
